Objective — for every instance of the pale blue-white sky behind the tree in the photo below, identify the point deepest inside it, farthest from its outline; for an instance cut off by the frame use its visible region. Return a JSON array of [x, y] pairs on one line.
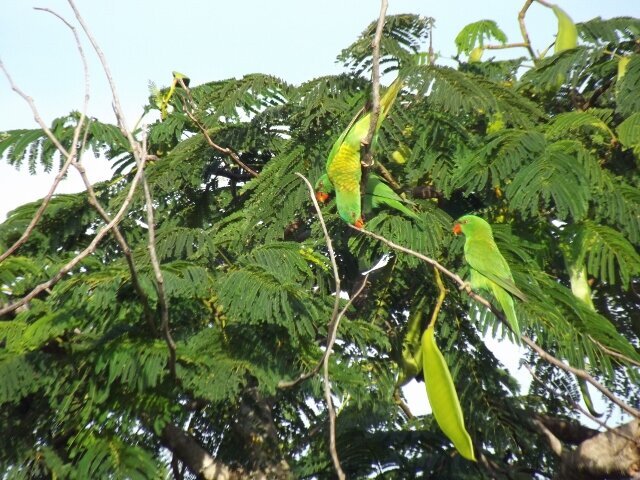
[[145, 40]]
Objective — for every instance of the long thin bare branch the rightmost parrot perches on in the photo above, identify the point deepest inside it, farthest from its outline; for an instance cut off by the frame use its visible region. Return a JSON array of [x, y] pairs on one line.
[[534, 346]]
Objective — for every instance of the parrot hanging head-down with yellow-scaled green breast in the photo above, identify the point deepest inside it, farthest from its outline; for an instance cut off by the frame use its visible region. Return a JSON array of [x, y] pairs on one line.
[[343, 164]]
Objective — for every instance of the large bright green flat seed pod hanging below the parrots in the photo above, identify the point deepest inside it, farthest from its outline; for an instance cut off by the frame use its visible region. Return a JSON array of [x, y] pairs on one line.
[[443, 397]]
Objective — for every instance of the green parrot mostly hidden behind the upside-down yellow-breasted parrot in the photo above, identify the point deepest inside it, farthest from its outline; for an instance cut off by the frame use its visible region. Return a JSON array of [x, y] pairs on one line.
[[377, 194]]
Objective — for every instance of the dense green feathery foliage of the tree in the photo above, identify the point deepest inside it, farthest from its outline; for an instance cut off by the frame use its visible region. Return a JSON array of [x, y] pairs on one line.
[[85, 390]]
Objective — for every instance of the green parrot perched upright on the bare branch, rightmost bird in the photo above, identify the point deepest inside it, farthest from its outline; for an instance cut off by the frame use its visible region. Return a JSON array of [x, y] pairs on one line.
[[489, 270]]
